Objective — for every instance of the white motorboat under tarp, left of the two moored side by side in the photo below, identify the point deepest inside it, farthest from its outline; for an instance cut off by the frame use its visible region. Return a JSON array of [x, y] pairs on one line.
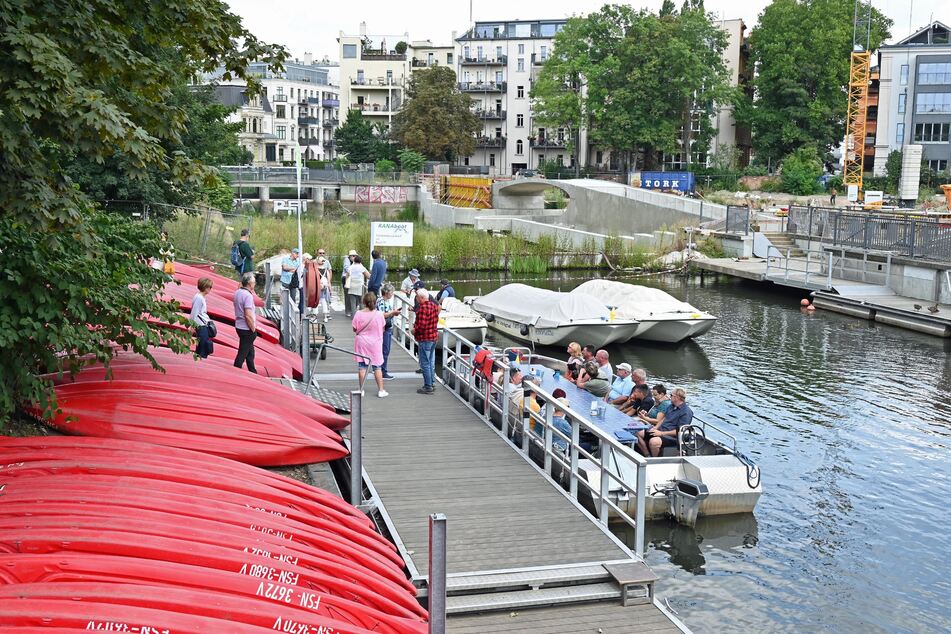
[[550, 318]]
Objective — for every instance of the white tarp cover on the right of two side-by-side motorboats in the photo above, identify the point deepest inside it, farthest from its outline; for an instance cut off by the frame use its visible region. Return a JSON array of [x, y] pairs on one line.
[[638, 302]]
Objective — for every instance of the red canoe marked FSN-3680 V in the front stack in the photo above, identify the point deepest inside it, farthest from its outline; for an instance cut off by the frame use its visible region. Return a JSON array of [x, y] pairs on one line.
[[52, 540]]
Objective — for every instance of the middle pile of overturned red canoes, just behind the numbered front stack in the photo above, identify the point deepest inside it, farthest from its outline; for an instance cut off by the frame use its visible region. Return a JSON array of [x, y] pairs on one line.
[[199, 405]]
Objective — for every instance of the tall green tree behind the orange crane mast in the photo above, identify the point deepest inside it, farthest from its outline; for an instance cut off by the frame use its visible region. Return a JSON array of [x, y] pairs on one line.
[[801, 50]]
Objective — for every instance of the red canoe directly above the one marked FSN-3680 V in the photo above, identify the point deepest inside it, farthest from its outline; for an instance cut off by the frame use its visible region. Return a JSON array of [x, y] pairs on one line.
[[239, 540]]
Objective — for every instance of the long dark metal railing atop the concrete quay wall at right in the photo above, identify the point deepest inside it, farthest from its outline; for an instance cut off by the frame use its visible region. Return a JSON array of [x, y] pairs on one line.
[[902, 234]]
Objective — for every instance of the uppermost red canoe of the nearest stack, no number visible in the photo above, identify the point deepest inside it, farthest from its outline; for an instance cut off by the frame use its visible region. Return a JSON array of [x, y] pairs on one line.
[[224, 474]]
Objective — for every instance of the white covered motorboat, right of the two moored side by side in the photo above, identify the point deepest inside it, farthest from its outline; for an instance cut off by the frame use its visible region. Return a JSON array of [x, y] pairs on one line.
[[662, 317]]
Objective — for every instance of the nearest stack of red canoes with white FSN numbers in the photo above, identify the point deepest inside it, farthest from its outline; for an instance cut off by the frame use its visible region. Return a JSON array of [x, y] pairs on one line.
[[112, 534]]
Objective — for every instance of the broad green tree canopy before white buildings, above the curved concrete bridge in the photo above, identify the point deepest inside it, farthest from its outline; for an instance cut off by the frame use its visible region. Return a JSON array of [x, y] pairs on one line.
[[611, 72]]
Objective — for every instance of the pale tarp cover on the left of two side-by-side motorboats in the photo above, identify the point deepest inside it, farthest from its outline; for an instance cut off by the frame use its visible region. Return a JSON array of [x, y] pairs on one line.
[[540, 307]]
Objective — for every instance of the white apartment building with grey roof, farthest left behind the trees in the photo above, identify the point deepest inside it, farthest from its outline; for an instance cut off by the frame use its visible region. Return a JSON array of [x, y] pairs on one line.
[[297, 107]]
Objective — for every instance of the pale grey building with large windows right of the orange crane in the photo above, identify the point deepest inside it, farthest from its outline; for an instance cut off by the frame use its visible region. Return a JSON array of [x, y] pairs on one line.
[[914, 97]]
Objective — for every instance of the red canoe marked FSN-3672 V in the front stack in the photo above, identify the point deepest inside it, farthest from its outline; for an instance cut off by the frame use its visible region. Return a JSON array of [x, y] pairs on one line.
[[72, 568]]
